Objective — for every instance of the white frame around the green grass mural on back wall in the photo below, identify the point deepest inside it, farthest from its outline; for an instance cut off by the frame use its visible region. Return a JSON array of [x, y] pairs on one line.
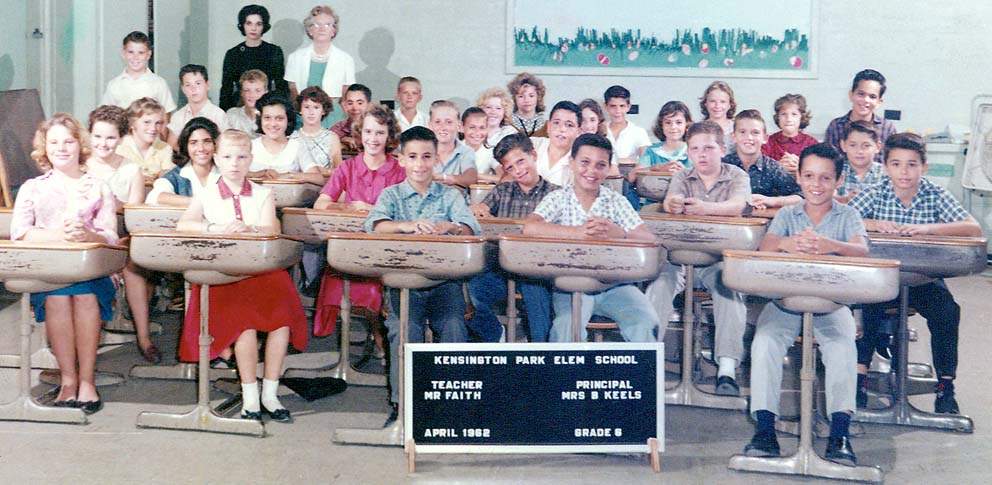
[[809, 61]]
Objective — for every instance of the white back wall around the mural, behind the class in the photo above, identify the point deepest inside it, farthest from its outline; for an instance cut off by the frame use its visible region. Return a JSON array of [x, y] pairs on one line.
[[931, 52]]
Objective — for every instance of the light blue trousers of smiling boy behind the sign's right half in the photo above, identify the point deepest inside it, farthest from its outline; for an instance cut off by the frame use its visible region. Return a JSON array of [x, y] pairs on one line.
[[624, 304]]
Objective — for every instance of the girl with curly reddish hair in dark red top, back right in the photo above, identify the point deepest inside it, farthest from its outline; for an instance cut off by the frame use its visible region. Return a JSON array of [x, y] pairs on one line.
[[792, 117]]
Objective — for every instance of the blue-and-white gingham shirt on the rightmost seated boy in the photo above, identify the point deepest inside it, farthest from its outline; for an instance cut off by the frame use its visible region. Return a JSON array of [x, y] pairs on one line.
[[932, 204]]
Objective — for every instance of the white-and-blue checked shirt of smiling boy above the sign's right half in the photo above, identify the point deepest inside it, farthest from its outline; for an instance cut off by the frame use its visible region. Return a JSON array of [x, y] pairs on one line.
[[562, 207]]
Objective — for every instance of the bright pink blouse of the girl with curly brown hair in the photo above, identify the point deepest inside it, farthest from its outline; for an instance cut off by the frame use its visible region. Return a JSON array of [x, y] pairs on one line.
[[358, 183]]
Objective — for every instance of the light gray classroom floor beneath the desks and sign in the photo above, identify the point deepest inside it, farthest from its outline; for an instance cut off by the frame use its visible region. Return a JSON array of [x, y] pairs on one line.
[[112, 450]]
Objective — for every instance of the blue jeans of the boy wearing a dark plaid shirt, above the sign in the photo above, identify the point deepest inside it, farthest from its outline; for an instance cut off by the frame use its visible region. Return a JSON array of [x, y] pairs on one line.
[[489, 290]]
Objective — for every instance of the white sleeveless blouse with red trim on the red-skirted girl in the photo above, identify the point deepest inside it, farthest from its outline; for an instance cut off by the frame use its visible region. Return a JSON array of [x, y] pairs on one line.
[[246, 207]]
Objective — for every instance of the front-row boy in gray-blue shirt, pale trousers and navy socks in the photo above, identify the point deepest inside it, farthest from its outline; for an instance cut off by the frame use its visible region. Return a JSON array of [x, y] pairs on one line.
[[818, 225]]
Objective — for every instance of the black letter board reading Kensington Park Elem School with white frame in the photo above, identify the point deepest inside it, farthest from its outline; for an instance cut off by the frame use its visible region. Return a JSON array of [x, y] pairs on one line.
[[529, 398]]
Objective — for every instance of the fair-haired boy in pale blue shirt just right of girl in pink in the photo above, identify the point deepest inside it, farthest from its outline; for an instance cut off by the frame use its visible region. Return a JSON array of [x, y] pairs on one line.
[[456, 161]]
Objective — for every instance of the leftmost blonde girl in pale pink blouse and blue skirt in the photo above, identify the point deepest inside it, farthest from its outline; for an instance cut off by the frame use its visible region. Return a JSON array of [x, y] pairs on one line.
[[67, 204]]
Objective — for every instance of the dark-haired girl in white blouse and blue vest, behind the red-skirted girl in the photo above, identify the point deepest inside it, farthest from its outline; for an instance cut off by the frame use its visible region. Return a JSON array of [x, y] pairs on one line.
[[194, 166]]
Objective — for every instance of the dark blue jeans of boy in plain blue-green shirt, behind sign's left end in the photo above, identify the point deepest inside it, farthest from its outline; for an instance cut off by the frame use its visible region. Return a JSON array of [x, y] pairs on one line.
[[443, 305]]
